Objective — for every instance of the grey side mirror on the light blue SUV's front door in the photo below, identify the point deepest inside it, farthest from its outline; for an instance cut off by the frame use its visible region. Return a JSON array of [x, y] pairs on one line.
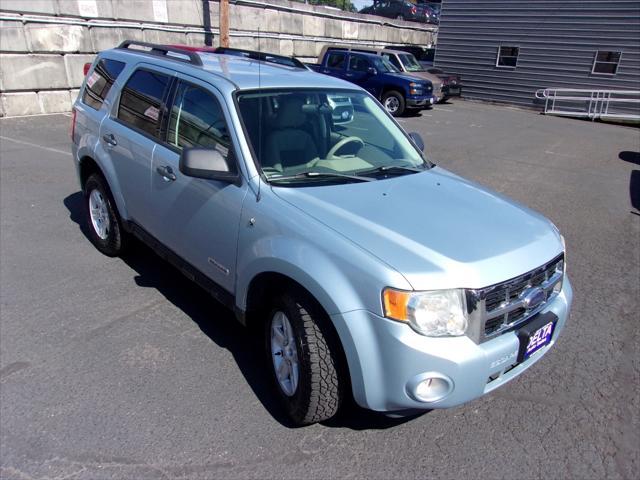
[[207, 163]]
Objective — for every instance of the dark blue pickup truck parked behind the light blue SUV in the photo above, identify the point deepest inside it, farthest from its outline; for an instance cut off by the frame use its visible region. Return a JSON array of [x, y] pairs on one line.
[[396, 91]]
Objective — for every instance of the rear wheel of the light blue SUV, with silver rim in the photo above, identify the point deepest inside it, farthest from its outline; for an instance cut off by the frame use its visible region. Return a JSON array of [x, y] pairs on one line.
[[105, 226]]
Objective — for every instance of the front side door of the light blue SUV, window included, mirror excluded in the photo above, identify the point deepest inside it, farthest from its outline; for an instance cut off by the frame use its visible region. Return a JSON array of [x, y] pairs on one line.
[[197, 218]]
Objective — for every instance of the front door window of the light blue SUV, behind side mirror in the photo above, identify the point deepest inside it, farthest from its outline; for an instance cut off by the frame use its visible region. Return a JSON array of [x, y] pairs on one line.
[[197, 120]]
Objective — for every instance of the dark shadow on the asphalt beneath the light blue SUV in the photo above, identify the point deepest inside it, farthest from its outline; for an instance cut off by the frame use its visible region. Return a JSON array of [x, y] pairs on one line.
[[219, 324]]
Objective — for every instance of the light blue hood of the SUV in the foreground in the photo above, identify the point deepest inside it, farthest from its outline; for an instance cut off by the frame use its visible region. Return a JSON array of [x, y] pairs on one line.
[[435, 228]]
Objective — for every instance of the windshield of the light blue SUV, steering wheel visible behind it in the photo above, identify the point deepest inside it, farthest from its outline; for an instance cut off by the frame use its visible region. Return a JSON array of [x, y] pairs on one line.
[[326, 133]]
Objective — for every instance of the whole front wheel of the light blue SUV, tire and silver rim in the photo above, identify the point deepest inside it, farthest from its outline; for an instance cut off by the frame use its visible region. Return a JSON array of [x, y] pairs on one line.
[[304, 358]]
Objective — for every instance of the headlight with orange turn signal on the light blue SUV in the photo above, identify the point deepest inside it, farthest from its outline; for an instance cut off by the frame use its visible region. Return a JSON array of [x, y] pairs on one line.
[[435, 313]]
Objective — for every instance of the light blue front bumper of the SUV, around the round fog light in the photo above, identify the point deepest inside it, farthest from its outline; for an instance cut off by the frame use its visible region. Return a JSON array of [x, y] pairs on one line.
[[386, 357]]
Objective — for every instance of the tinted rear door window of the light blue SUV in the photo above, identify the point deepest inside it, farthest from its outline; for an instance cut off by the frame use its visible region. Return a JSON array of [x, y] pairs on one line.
[[142, 99]]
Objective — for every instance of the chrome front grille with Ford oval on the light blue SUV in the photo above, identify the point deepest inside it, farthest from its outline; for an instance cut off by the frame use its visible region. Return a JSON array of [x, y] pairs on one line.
[[499, 308]]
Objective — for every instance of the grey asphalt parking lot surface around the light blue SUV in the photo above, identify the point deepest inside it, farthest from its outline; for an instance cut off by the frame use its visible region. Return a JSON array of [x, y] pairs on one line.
[[122, 368]]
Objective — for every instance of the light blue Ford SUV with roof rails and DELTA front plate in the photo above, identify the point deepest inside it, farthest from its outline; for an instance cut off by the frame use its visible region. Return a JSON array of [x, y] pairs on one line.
[[368, 270]]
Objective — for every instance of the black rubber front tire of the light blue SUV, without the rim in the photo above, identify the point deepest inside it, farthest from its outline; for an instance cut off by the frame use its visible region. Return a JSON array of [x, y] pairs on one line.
[[320, 386]]
